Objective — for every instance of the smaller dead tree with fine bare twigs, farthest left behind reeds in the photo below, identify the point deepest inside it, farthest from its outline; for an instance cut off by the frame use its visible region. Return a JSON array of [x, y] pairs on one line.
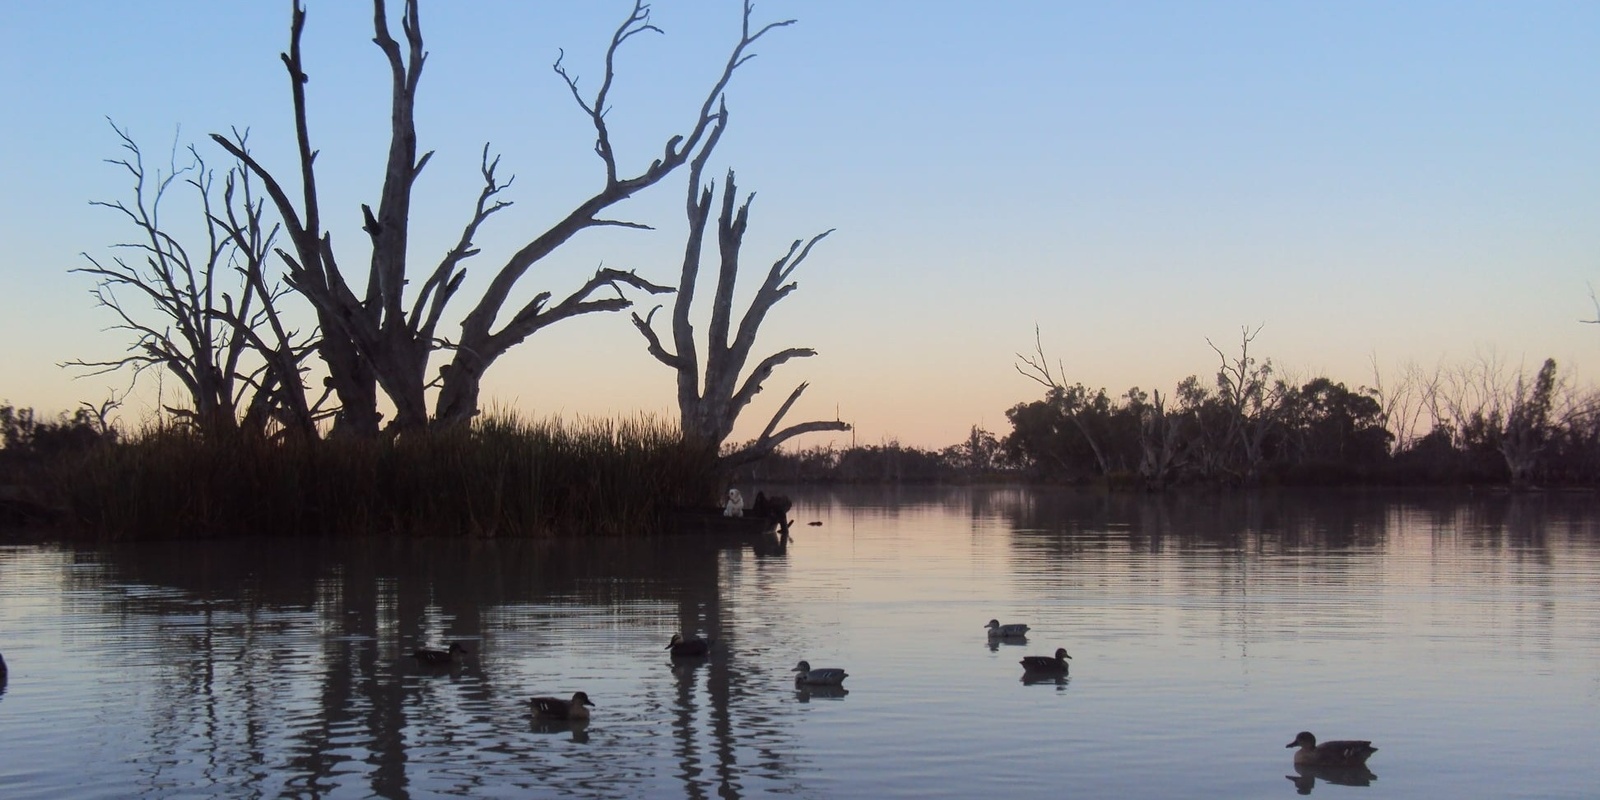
[[238, 361]]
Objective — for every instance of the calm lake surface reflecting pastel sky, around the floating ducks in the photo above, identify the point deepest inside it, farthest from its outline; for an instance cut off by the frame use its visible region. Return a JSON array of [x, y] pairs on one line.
[[1460, 634]]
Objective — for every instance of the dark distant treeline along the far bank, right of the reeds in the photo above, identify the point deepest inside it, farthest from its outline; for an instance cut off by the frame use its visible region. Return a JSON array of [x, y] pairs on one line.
[[1449, 428]]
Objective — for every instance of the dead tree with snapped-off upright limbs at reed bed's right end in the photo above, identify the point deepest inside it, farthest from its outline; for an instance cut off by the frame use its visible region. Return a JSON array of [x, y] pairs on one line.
[[713, 394]]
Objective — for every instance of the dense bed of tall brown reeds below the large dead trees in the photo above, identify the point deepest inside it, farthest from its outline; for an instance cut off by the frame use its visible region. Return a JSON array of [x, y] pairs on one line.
[[500, 478]]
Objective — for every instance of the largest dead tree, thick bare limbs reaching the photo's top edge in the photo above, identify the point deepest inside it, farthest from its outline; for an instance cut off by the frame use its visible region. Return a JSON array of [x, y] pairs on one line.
[[378, 337]]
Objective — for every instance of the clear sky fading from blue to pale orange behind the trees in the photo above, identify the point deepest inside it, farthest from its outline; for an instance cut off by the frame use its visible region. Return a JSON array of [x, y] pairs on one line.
[[1367, 183]]
